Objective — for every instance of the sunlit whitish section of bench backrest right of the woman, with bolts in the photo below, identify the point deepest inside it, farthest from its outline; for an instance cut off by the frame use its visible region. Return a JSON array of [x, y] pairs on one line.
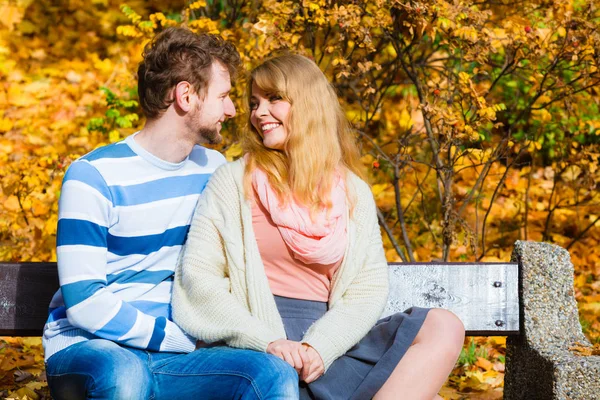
[[484, 295]]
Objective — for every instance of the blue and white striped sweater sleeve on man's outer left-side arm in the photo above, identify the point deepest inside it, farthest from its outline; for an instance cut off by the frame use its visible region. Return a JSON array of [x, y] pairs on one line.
[[84, 219]]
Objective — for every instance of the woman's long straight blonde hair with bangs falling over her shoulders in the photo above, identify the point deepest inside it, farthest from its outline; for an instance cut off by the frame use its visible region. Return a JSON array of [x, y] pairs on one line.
[[319, 141]]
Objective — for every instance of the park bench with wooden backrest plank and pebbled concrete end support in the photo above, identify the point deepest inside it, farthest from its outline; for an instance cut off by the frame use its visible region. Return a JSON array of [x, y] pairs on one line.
[[530, 300]]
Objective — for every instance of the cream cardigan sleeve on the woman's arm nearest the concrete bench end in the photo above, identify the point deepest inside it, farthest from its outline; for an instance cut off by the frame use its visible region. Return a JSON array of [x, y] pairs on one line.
[[352, 316]]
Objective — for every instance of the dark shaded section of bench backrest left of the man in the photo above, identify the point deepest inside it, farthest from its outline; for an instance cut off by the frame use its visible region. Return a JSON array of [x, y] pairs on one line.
[[25, 293]]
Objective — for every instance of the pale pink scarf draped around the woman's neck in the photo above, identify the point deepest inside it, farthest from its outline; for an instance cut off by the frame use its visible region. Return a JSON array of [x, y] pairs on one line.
[[322, 241]]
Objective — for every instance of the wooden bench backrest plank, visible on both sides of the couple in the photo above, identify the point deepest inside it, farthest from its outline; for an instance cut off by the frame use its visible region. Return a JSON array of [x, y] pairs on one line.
[[484, 296]]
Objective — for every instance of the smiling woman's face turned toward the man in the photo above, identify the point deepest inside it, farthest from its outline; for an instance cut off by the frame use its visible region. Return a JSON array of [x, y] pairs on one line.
[[269, 116]]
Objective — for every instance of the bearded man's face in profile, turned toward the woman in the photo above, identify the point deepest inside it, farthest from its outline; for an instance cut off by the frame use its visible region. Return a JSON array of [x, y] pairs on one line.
[[204, 121]]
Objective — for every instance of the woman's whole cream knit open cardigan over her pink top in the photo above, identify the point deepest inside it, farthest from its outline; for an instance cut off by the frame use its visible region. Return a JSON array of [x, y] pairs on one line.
[[221, 292]]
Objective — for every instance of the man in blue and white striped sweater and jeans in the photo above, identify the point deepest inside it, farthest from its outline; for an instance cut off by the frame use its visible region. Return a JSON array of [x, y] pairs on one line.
[[124, 213]]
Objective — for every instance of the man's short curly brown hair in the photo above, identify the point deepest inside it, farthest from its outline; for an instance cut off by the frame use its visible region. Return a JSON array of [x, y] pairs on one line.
[[176, 55]]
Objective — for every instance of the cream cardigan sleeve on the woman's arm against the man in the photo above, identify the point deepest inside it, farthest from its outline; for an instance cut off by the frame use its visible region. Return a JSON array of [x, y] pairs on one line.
[[203, 304]]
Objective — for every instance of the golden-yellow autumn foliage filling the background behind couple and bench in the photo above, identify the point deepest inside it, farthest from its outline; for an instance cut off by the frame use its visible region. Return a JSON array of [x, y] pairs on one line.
[[478, 121]]
